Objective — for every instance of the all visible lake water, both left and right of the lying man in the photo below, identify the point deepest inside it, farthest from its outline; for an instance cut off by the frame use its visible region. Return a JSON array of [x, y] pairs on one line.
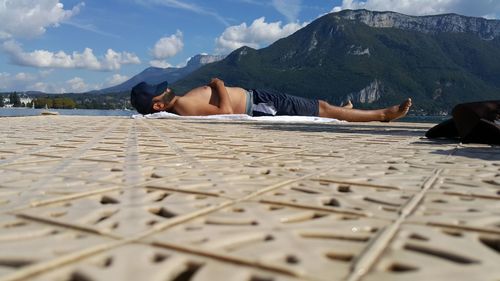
[[16, 112]]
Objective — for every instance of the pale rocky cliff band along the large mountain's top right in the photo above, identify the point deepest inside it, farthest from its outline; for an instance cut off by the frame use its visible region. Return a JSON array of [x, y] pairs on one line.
[[486, 29]]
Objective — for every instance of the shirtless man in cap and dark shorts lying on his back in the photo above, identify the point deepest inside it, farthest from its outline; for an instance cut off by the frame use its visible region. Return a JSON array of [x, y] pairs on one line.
[[215, 98]]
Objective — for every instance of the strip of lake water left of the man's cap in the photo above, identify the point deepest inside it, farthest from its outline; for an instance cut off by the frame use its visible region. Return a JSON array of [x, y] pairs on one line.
[[16, 112]]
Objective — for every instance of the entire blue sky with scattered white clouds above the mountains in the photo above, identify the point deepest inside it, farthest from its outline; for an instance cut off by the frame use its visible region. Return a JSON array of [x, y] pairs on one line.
[[77, 45]]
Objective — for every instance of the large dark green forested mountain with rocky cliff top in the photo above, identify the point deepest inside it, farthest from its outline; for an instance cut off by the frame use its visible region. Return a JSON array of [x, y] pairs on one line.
[[373, 58]]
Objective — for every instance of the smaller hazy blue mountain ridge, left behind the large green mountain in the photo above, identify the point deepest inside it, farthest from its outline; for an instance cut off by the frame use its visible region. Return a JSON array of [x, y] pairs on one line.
[[155, 75]]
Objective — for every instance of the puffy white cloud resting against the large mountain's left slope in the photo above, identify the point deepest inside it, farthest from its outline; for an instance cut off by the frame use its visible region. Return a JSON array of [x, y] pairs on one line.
[[258, 34]]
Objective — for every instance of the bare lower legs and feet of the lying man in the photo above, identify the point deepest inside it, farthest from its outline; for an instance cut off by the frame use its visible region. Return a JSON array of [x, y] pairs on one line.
[[357, 115]]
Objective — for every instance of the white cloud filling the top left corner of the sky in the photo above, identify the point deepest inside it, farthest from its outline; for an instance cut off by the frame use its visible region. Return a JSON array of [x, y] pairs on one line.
[[30, 18]]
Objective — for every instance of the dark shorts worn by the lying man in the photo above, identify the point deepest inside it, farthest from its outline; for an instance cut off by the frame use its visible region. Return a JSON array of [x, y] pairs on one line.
[[269, 103]]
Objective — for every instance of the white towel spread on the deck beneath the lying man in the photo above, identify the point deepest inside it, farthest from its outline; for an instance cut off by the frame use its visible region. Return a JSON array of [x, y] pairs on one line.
[[239, 117]]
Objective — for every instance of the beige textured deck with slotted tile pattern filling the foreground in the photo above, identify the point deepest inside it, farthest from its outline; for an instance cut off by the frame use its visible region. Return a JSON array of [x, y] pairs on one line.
[[109, 198]]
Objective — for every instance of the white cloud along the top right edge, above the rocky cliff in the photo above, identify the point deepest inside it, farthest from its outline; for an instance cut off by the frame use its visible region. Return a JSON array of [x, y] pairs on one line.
[[480, 8]]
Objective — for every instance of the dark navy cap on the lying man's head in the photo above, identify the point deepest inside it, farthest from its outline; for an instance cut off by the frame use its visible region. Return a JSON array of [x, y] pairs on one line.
[[142, 96]]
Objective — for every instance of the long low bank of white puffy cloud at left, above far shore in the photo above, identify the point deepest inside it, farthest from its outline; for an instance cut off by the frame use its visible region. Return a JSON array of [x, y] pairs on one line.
[[85, 60]]
